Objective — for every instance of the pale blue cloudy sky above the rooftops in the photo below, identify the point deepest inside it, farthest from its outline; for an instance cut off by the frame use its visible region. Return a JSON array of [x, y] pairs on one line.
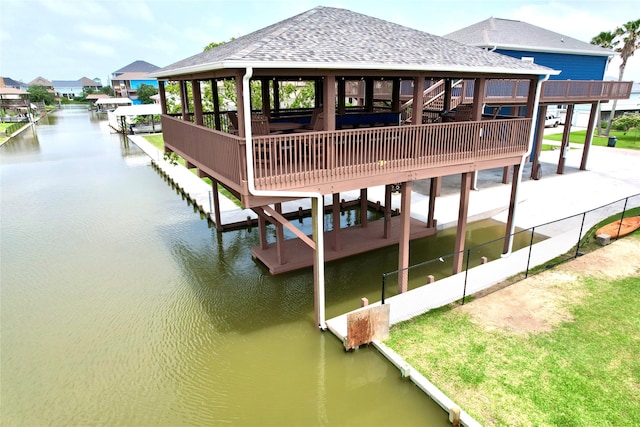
[[71, 39]]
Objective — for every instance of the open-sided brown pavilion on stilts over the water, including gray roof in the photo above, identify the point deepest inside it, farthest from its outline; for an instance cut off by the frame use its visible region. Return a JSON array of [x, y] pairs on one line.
[[266, 154]]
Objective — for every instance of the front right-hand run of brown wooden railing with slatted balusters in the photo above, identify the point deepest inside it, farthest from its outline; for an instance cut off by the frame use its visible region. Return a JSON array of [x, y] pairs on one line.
[[294, 161]]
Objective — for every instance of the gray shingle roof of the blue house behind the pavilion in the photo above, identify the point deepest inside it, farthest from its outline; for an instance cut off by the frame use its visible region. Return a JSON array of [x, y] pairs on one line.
[[509, 34]]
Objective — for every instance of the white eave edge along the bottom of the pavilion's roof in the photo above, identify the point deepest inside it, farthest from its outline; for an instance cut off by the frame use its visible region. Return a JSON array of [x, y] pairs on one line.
[[346, 66]]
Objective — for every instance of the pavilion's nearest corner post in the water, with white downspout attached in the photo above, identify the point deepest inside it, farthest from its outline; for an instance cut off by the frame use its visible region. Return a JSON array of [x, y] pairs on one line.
[[317, 214]]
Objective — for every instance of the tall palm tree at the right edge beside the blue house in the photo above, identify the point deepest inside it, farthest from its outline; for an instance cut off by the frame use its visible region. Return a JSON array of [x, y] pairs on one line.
[[629, 35]]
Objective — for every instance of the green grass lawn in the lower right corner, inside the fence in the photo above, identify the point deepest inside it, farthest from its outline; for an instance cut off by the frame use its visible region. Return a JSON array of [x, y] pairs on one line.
[[583, 371]]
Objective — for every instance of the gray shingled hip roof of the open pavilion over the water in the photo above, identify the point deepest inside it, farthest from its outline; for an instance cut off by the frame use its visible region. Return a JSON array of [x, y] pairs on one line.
[[333, 38]]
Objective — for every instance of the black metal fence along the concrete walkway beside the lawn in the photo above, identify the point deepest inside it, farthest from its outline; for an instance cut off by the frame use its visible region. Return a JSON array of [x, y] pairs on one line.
[[535, 249]]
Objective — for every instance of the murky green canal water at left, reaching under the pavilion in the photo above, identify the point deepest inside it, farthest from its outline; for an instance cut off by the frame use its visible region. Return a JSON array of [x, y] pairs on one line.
[[120, 306]]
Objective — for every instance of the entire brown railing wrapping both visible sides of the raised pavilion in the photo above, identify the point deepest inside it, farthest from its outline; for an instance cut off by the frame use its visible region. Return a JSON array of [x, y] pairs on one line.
[[315, 159]]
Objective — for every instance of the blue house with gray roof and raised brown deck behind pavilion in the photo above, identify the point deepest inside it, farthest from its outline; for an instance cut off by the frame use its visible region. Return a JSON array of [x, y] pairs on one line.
[[581, 65]]
